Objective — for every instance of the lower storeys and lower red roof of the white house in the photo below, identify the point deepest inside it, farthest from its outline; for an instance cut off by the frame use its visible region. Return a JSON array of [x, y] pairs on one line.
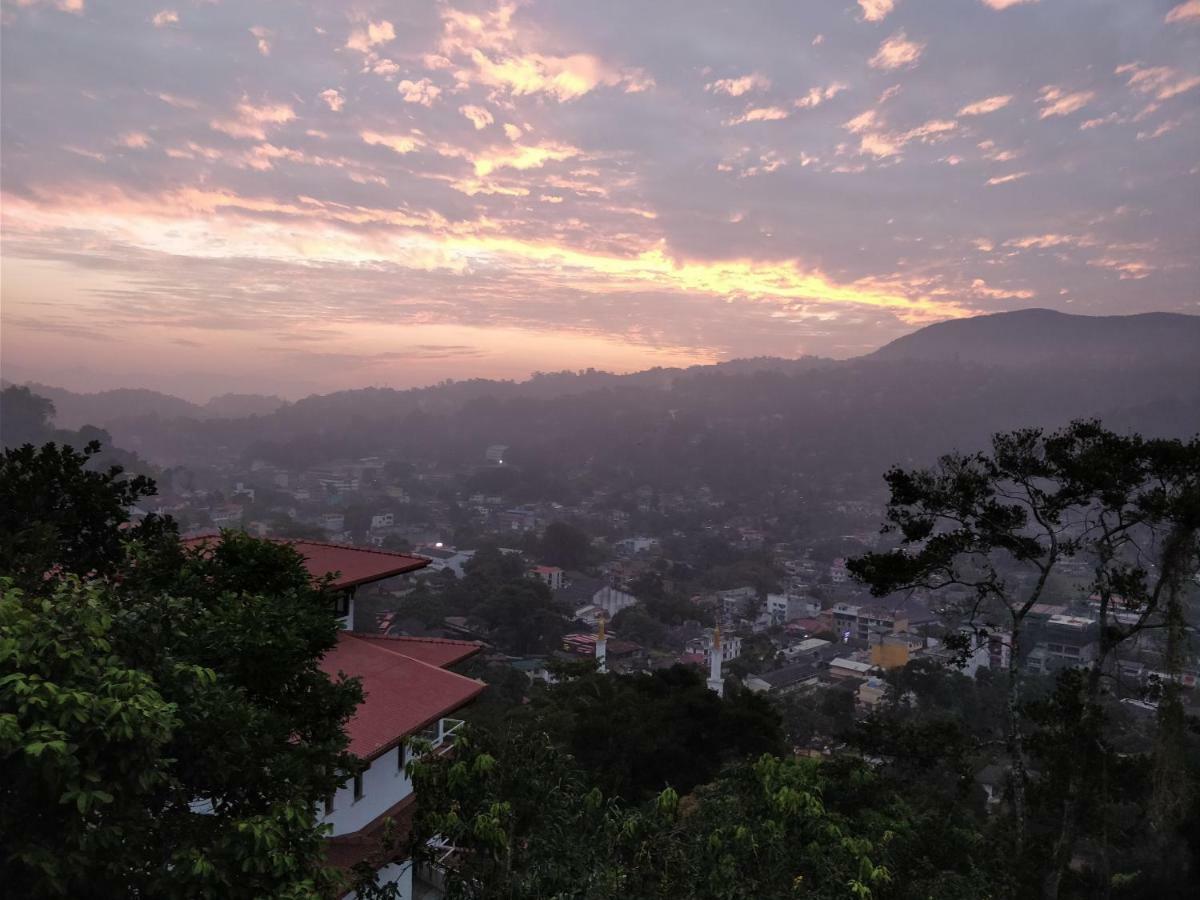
[[410, 698]]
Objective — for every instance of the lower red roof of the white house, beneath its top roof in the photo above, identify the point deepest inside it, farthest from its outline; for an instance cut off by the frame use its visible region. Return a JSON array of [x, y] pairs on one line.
[[403, 693]]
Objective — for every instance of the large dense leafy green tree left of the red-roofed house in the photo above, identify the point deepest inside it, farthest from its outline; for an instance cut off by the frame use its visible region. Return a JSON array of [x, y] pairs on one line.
[[170, 680]]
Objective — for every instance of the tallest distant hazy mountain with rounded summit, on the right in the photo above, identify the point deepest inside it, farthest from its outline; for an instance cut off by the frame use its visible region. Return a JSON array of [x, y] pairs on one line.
[[1047, 338]]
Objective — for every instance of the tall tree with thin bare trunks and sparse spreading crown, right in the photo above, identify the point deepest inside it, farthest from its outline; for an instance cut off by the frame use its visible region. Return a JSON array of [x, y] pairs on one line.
[[1000, 525]]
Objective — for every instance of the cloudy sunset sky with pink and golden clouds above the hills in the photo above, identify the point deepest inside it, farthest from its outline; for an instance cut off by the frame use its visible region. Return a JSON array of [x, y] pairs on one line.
[[289, 196]]
